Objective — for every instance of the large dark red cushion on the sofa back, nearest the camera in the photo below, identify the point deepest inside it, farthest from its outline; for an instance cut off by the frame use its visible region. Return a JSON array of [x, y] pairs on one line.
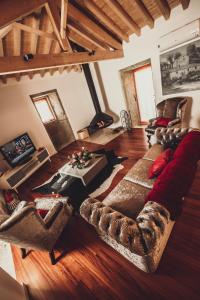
[[173, 184]]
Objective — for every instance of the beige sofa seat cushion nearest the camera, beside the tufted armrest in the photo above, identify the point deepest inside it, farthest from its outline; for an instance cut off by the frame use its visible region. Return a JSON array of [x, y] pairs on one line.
[[127, 198]]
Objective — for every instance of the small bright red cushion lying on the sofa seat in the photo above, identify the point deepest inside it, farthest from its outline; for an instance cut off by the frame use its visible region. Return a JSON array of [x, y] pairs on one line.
[[160, 163]]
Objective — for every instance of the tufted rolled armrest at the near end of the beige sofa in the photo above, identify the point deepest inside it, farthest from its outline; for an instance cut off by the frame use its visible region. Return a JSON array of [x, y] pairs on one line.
[[114, 224]]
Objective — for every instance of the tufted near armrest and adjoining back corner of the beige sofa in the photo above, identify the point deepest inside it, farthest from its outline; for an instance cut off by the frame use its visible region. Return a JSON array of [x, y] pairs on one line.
[[141, 241]]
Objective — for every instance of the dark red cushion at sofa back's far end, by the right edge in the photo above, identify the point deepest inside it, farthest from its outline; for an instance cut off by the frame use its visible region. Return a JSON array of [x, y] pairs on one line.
[[189, 148]]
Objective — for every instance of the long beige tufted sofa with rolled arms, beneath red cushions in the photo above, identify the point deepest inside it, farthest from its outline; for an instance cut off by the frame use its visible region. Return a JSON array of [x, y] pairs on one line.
[[137, 231]]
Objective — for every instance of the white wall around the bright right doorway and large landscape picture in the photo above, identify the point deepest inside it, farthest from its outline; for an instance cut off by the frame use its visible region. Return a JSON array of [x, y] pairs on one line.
[[145, 47]]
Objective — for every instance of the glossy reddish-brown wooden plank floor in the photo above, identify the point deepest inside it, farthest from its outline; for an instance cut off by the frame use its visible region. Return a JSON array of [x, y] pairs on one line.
[[90, 269]]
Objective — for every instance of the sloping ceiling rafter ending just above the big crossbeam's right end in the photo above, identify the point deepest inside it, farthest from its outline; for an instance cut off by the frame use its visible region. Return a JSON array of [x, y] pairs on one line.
[[106, 20]]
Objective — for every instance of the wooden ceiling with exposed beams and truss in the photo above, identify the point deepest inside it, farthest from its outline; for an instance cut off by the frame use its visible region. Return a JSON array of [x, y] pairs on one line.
[[52, 29]]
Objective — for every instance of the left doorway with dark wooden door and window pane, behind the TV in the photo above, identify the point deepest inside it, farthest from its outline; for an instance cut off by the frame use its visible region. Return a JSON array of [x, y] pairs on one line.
[[54, 118]]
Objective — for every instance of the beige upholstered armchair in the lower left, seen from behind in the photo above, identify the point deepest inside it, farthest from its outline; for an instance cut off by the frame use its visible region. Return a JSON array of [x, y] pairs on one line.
[[26, 229]]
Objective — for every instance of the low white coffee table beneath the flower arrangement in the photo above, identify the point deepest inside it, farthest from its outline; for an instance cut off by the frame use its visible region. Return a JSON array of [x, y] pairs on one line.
[[86, 174]]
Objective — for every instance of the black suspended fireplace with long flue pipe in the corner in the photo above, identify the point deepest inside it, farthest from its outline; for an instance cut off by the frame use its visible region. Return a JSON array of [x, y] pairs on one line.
[[101, 119]]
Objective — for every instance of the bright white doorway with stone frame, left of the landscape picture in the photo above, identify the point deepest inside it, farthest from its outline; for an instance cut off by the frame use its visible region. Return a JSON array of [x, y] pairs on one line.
[[139, 92]]
